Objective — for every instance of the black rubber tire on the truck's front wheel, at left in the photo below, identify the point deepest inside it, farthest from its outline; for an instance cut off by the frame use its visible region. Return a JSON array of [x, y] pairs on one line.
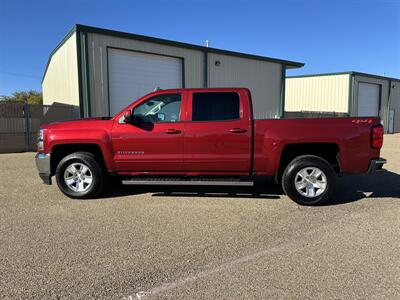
[[96, 171]]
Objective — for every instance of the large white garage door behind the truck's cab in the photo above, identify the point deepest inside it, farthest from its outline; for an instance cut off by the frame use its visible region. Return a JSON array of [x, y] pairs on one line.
[[134, 74]]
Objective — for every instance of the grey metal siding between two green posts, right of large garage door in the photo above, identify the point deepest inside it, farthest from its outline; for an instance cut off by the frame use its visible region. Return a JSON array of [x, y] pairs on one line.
[[262, 78]]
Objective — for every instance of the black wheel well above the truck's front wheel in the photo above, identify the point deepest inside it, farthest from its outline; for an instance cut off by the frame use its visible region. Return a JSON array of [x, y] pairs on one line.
[[58, 152]]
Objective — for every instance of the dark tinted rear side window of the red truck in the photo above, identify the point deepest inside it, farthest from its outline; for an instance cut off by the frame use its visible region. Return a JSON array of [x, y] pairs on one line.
[[215, 106]]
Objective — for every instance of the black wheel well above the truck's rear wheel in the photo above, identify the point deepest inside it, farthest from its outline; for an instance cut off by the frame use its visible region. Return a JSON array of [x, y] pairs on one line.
[[327, 151]]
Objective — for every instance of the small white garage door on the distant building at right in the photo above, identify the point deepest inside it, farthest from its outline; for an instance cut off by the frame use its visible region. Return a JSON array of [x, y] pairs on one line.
[[368, 99]]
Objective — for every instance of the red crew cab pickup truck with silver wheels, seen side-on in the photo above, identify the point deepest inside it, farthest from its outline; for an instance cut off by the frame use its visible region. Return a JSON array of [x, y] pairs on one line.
[[207, 137]]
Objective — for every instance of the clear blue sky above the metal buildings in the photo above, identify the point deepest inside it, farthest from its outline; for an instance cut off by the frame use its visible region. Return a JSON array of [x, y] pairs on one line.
[[329, 36]]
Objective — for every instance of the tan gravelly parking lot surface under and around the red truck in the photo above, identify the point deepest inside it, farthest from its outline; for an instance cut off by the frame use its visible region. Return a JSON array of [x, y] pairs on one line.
[[199, 243]]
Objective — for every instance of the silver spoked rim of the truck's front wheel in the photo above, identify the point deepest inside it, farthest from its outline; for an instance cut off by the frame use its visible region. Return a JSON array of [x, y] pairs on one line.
[[78, 177]]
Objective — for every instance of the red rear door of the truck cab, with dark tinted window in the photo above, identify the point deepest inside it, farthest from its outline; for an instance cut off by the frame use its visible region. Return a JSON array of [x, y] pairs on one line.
[[218, 133]]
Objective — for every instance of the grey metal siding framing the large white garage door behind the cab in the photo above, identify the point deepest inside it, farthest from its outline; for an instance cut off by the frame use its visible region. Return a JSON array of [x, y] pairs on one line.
[[98, 65]]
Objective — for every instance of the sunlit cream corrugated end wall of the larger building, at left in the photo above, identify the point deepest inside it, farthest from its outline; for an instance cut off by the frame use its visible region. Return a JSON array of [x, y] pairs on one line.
[[60, 85]]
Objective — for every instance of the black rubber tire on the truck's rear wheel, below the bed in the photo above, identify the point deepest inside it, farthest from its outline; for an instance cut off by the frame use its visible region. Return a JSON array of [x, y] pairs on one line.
[[303, 164]]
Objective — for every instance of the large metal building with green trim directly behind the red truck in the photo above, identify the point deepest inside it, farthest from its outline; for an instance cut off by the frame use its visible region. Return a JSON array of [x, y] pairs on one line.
[[101, 71]]
